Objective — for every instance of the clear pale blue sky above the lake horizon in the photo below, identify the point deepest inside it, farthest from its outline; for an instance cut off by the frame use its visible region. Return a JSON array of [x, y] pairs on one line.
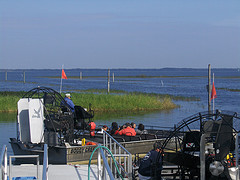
[[119, 33]]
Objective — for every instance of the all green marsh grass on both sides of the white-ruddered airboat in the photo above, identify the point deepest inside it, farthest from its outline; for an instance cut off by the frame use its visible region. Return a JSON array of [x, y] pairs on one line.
[[101, 102]]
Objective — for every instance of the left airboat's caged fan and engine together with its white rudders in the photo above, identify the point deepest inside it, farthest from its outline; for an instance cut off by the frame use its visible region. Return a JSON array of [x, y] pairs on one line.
[[44, 117]]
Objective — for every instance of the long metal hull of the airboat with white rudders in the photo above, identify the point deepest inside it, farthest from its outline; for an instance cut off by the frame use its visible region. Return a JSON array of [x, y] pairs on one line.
[[73, 154]]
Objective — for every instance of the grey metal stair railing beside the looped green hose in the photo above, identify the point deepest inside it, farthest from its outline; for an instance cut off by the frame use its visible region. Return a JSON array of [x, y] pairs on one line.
[[121, 155]]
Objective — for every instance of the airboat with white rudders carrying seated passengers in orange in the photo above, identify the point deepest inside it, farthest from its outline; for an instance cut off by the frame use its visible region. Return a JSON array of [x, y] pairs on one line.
[[45, 118]]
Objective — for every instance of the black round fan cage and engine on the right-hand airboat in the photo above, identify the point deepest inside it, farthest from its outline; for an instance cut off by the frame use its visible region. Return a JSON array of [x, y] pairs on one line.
[[182, 146]]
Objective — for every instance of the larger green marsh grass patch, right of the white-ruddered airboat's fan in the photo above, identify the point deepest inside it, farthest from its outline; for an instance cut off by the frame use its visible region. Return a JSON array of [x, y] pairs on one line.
[[122, 102]]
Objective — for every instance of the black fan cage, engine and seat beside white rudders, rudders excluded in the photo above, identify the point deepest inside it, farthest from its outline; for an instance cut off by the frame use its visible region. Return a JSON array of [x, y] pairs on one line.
[[61, 124]]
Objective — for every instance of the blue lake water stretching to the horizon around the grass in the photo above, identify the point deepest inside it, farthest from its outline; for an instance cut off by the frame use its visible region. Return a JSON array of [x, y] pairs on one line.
[[180, 82]]
